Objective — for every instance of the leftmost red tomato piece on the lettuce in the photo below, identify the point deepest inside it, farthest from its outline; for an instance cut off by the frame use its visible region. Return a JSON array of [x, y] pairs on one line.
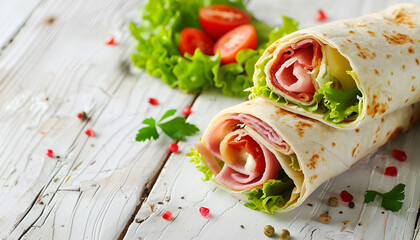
[[191, 39]]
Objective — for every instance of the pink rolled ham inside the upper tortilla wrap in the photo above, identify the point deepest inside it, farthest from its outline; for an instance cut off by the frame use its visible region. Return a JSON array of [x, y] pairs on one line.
[[290, 73]]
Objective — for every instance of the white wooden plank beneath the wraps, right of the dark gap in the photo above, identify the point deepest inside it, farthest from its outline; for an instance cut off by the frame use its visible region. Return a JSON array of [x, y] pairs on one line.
[[179, 178]]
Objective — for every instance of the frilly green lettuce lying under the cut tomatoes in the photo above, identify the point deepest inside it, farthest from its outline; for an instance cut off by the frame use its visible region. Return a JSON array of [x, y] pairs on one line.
[[157, 49]]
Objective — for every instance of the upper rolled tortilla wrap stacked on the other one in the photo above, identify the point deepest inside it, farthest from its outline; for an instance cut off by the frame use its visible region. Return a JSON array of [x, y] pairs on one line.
[[346, 72]]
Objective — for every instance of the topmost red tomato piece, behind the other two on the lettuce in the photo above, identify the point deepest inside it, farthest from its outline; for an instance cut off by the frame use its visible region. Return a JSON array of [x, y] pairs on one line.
[[216, 20]]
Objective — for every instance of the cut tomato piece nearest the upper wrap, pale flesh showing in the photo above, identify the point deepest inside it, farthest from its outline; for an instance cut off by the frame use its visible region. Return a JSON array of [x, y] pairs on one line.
[[232, 42]]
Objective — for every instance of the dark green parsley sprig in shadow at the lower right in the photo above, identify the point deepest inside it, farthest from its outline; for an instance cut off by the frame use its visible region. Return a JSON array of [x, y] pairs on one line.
[[392, 200]]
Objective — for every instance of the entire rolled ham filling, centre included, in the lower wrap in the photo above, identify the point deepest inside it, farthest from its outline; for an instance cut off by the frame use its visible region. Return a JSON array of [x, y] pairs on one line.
[[229, 142]]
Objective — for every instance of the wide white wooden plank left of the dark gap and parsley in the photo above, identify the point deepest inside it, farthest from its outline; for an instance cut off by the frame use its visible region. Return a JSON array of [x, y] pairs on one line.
[[92, 190]]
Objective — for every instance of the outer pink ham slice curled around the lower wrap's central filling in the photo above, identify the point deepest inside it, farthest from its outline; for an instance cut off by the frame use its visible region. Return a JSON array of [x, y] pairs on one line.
[[236, 176]]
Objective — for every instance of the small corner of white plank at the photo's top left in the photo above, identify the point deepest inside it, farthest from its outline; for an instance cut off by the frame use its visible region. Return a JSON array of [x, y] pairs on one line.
[[13, 15]]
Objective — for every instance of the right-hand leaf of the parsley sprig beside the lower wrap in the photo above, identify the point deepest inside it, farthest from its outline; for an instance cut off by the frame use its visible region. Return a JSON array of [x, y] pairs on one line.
[[177, 128]]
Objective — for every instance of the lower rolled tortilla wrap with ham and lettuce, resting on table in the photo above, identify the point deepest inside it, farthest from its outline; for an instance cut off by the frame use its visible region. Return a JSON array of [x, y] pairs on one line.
[[274, 159]]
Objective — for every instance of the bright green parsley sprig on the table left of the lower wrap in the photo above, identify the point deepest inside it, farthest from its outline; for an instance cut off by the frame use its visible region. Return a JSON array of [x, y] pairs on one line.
[[176, 128]]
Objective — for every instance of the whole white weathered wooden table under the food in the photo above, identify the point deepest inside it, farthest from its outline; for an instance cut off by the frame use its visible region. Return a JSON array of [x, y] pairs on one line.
[[54, 64]]
